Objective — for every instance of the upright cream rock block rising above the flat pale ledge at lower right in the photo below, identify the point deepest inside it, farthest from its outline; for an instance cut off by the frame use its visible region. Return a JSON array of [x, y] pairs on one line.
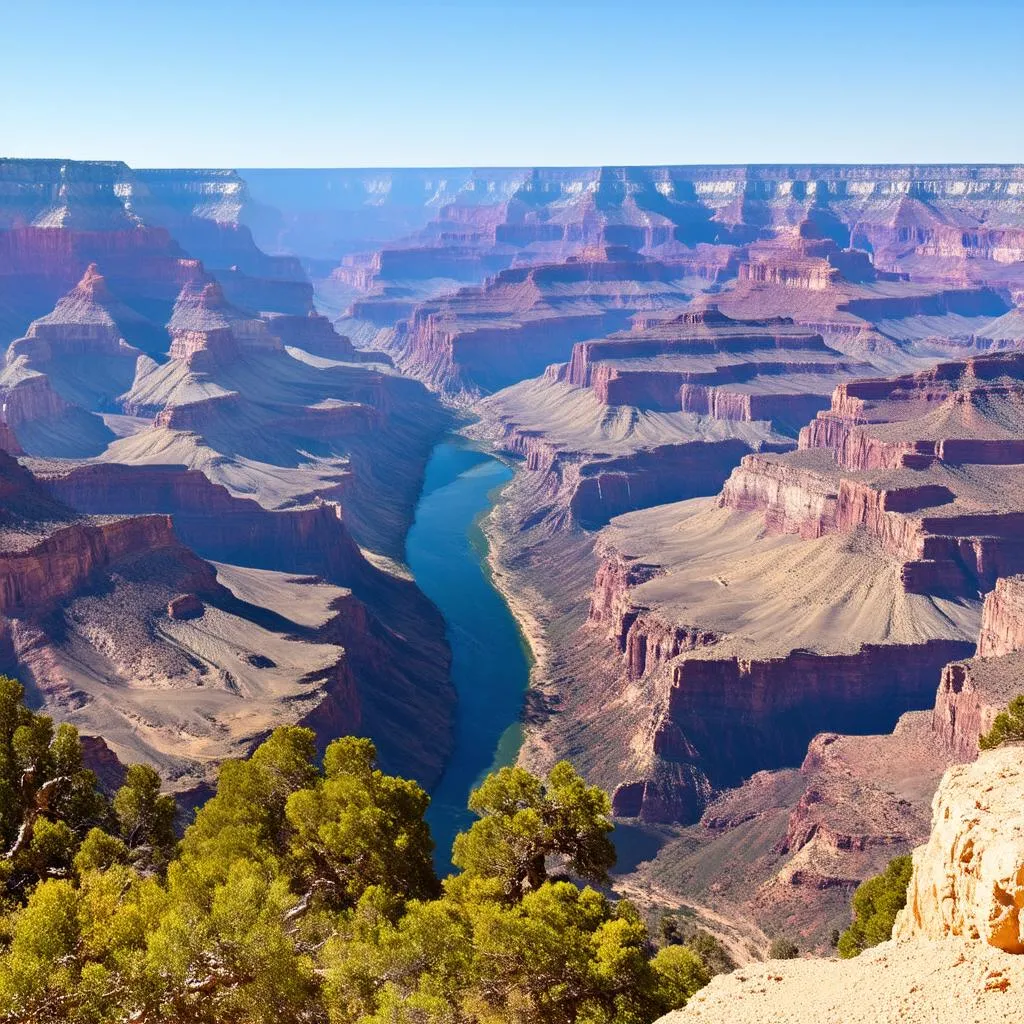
[[969, 879]]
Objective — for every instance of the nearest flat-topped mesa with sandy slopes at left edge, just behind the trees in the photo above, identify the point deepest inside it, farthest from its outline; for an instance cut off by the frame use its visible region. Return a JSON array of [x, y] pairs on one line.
[[92, 620]]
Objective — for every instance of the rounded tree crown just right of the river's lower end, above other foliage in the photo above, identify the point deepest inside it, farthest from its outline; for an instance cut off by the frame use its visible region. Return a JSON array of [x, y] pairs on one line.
[[525, 821]]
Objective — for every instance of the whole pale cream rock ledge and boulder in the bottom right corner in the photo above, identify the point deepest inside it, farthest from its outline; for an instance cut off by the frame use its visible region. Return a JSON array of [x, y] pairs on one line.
[[956, 950]]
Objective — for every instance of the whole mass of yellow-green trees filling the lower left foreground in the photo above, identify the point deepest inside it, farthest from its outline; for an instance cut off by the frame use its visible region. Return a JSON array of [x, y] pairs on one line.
[[308, 894]]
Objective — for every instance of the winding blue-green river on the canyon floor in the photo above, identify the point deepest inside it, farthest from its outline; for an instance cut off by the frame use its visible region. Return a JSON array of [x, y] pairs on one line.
[[447, 552]]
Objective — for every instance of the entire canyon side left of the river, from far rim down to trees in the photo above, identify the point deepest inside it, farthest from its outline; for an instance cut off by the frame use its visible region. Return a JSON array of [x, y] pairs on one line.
[[195, 399]]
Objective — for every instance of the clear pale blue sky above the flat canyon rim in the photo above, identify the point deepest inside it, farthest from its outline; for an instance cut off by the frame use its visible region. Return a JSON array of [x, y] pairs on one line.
[[312, 83]]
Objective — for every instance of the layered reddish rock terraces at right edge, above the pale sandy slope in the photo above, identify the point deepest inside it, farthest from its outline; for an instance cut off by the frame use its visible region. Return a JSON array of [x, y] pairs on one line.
[[928, 464]]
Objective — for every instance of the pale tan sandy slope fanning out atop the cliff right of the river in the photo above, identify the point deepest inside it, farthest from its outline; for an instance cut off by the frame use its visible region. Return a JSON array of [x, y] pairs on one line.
[[721, 572]]
